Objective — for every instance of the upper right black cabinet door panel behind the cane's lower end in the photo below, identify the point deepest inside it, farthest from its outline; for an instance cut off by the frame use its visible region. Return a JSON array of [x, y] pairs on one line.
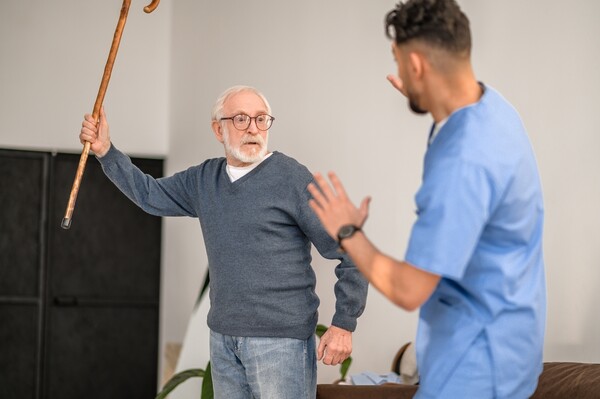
[[112, 248]]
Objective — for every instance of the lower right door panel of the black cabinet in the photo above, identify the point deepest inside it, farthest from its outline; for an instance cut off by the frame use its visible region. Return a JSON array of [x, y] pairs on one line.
[[102, 352]]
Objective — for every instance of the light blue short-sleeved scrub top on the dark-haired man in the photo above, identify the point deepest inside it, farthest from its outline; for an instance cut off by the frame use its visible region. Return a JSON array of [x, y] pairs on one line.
[[479, 226]]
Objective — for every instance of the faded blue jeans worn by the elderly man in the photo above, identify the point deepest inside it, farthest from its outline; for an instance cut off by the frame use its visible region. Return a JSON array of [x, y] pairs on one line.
[[263, 368]]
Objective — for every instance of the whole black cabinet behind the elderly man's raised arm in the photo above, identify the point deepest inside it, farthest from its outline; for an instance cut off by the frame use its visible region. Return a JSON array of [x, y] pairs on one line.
[[79, 308]]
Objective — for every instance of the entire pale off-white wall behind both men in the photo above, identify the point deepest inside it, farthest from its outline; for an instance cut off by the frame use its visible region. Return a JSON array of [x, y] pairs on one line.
[[323, 66]]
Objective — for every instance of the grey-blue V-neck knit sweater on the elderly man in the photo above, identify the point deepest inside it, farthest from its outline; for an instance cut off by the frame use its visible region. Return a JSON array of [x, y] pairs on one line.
[[258, 232]]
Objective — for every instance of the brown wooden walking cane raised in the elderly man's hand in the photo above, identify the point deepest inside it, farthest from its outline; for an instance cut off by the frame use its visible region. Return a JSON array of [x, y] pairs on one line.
[[66, 222]]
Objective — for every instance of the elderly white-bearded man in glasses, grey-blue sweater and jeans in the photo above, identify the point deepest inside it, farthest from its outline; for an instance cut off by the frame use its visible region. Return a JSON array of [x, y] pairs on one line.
[[258, 229]]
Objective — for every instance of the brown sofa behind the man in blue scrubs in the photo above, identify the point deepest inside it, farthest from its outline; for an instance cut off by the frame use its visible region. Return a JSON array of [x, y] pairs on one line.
[[561, 380]]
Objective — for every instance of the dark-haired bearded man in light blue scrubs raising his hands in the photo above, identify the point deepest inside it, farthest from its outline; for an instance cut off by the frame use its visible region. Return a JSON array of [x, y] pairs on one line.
[[474, 263]]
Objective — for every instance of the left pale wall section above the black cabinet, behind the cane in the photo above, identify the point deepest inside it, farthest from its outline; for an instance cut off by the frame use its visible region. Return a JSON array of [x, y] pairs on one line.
[[52, 57]]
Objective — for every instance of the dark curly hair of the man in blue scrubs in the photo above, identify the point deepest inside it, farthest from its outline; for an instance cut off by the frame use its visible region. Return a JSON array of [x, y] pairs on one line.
[[439, 23]]
